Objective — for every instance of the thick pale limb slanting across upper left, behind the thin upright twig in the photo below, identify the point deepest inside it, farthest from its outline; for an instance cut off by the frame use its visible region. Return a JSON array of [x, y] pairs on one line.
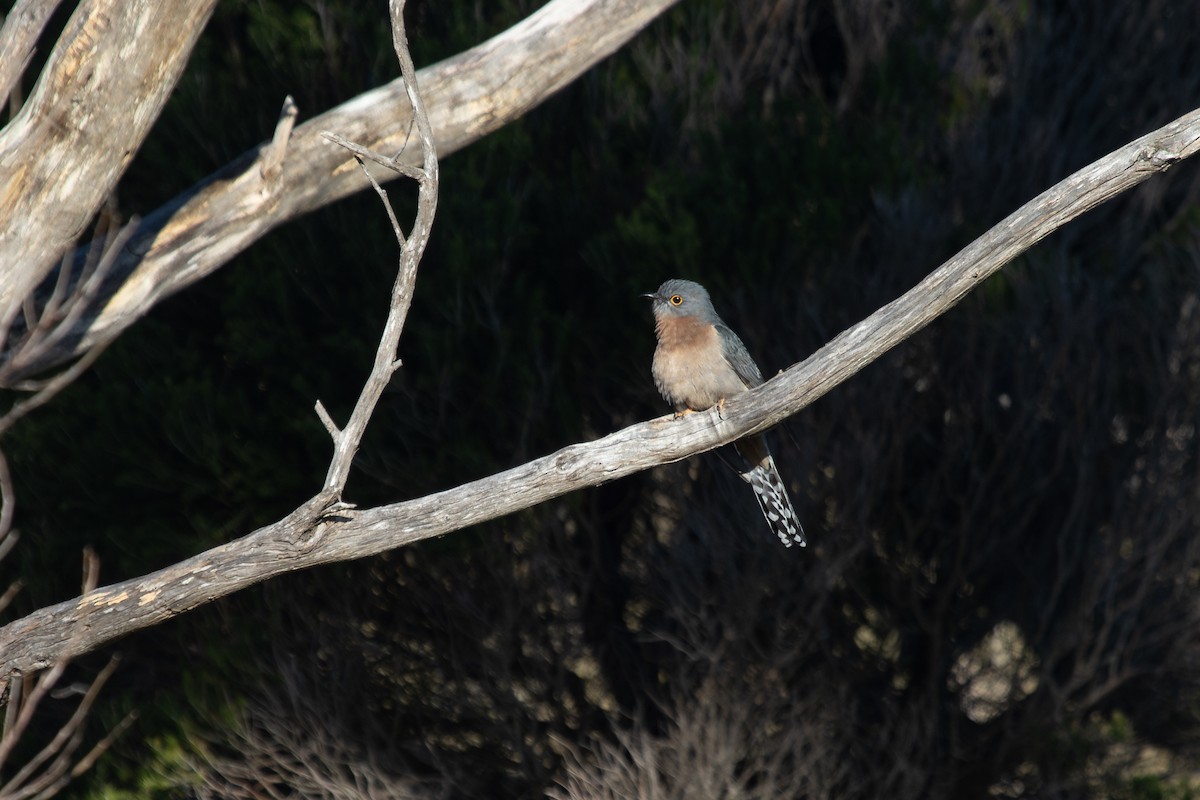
[[467, 97]]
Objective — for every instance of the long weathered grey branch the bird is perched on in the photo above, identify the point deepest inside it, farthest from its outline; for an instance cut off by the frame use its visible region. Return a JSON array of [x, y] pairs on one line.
[[308, 538]]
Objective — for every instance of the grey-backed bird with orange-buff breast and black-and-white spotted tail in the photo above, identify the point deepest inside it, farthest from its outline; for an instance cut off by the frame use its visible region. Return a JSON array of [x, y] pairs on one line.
[[700, 363]]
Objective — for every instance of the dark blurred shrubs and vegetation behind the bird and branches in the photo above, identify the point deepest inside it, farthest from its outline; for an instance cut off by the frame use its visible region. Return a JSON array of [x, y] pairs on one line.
[[1000, 596]]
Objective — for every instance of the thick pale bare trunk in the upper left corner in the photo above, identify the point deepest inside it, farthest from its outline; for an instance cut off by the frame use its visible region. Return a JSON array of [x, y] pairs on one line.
[[104, 87]]
